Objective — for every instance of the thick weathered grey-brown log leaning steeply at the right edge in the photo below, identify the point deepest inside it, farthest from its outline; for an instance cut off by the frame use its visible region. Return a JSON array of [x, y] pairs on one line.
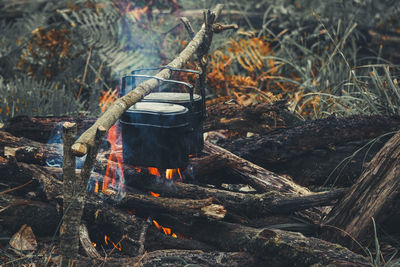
[[370, 197]]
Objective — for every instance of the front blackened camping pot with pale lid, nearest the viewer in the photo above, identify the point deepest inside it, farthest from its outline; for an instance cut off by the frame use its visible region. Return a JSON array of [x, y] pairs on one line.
[[156, 135]]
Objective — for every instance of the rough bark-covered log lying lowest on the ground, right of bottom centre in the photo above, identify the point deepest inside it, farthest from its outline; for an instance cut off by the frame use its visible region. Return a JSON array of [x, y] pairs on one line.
[[278, 247]]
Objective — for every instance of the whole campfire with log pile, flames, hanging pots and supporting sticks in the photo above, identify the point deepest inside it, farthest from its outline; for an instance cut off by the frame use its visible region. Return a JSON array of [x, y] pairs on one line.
[[152, 191]]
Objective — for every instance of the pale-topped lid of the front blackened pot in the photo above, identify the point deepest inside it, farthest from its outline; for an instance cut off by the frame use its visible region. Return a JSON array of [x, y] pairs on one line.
[[156, 114]]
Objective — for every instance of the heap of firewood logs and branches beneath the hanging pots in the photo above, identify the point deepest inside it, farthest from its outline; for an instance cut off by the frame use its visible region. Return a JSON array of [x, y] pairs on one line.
[[214, 223]]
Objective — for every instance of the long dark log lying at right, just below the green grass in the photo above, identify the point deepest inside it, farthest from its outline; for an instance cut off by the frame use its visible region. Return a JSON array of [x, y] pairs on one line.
[[285, 144]]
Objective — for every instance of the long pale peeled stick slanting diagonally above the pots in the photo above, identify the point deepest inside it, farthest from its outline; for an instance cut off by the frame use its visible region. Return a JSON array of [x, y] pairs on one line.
[[108, 119]]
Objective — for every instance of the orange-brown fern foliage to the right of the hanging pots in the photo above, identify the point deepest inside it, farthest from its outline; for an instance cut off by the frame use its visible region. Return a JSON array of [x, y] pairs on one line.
[[245, 57]]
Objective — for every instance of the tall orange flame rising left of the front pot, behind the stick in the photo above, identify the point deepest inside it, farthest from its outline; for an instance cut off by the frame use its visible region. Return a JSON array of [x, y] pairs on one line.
[[114, 174]]
